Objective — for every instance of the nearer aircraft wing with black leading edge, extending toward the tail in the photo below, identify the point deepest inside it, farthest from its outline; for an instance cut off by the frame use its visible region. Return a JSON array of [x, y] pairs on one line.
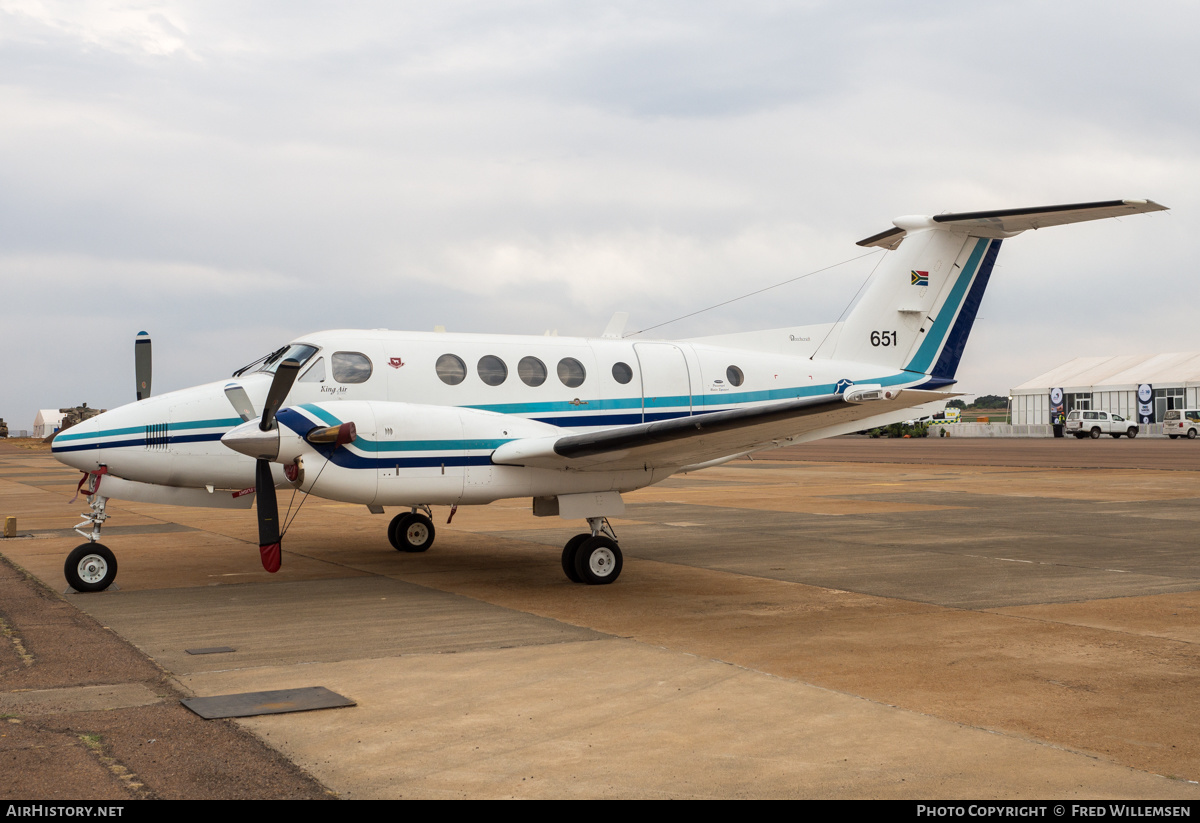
[[707, 437]]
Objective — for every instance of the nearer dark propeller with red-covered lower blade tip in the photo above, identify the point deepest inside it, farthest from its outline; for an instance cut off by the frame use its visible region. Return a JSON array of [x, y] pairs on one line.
[[265, 448]]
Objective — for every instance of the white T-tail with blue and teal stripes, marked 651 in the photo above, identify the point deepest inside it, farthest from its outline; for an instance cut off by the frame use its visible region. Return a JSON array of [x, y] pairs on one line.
[[919, 310]]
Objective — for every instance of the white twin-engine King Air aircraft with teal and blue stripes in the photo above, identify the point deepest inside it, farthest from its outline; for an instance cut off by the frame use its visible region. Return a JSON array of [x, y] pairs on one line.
[[416, 420]]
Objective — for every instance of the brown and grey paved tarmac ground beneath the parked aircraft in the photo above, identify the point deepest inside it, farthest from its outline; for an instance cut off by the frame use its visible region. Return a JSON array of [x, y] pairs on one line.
[[855, 618]]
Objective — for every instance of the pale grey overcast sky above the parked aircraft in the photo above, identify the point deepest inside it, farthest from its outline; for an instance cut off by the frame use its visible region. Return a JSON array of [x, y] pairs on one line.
[[232, 176]]
